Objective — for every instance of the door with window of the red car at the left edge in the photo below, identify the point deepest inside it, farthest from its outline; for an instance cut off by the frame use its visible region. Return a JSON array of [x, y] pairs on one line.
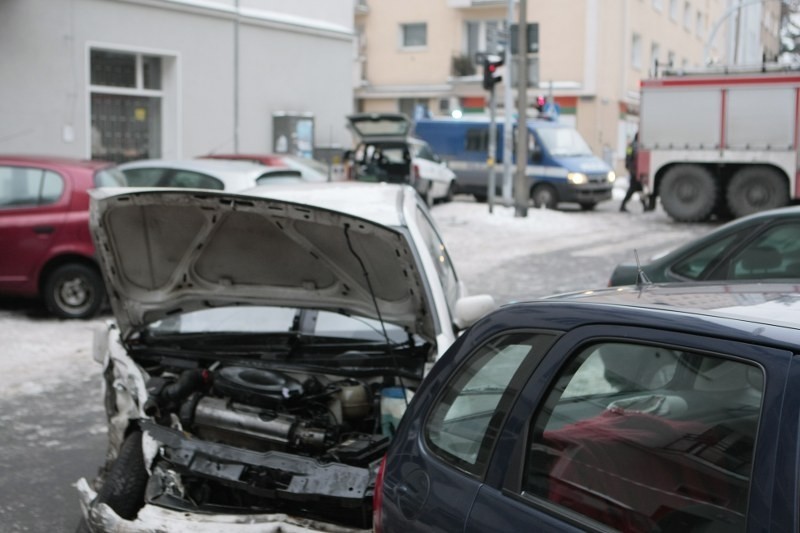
[[33, 206]]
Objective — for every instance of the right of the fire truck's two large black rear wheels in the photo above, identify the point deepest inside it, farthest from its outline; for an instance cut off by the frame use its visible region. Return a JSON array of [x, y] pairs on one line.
[[756, 188]]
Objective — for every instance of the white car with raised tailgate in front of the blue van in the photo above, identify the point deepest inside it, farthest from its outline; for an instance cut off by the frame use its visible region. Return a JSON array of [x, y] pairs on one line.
[[387, 152]]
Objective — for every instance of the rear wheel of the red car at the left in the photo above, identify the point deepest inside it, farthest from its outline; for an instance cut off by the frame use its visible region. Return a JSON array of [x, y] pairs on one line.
[[74, 290]]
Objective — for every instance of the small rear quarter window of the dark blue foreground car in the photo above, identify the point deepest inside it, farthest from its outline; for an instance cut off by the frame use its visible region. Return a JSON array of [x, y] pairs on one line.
[[466, 418]]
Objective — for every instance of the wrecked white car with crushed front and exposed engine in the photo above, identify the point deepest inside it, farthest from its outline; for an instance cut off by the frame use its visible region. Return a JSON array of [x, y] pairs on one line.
[[264, 348]]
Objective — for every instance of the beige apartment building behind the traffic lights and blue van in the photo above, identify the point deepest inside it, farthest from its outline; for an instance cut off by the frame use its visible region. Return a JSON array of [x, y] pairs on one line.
[[592, 54]]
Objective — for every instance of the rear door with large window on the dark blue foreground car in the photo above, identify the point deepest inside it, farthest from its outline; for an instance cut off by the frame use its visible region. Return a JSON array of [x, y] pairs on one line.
[[639, 429]]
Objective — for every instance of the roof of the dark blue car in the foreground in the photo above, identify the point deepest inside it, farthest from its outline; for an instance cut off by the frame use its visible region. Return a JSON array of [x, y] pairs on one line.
[[735, 310]]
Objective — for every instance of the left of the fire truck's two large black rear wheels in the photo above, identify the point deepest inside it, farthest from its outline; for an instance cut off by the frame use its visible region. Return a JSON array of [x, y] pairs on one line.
[[688, 193]]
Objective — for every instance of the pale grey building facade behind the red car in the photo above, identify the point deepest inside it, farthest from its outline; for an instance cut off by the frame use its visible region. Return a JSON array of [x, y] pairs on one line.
[[132, 79]]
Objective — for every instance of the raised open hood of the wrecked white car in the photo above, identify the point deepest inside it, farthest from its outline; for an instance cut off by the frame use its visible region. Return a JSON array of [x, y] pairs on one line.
[[167, 251]]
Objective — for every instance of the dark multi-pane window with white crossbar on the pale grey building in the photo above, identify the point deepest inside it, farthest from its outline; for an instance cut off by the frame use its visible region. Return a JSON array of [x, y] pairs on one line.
[[126, 97]]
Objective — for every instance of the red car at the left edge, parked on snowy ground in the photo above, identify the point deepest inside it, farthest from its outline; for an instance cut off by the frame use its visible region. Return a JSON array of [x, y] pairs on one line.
[[44, 231]]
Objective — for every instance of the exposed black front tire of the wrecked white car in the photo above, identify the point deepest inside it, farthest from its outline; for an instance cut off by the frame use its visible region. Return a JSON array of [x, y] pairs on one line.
[[125, 482]]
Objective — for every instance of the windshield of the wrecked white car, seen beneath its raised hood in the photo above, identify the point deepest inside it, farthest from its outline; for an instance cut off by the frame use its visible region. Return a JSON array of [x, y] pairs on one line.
[[239, 320]]
